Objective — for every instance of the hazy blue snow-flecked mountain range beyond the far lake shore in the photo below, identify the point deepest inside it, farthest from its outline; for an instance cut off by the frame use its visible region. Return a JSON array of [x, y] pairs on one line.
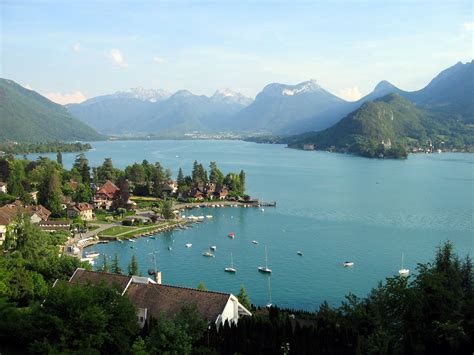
[[278, 109]]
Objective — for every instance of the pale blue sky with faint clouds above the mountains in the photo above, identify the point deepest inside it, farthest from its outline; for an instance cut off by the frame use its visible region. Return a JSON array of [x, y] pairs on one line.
[[73, 50]]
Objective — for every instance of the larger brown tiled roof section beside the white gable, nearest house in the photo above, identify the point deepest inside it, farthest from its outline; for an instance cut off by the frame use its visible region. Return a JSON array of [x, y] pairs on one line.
[[169, 300]]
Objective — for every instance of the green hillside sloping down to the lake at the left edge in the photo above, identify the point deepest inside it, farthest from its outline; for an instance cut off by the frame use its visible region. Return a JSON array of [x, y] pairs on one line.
[[26, 116]]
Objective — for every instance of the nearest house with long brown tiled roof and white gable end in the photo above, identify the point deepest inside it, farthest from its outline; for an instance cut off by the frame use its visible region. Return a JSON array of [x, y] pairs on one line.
[[153, 299]]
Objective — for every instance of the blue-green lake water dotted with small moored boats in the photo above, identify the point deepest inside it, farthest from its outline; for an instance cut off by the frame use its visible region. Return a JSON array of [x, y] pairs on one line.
[[332, 207]]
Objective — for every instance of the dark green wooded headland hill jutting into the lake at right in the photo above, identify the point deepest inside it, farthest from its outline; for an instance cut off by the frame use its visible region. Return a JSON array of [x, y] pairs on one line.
[[389, 126]]
